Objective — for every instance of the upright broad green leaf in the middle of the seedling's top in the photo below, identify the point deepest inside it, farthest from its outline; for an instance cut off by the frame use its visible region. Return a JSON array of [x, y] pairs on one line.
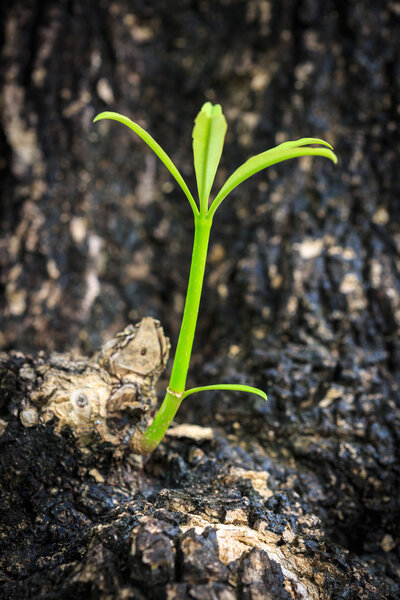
[[208, 141]]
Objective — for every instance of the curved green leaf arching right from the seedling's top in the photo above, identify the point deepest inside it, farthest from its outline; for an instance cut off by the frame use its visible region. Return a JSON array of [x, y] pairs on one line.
[[276, 155]]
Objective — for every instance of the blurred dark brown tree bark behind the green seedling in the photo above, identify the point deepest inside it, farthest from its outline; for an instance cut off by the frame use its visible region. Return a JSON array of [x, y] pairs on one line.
[[301, 295]]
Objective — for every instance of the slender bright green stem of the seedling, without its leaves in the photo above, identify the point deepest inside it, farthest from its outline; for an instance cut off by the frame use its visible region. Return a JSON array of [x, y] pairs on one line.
[[173, 397]]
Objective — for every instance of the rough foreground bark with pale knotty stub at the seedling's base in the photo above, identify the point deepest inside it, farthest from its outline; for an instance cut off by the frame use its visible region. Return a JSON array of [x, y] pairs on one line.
[[208, 518]]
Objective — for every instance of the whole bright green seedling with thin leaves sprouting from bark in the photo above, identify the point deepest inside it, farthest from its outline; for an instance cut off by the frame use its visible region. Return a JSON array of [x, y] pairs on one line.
[[208, 140]]
